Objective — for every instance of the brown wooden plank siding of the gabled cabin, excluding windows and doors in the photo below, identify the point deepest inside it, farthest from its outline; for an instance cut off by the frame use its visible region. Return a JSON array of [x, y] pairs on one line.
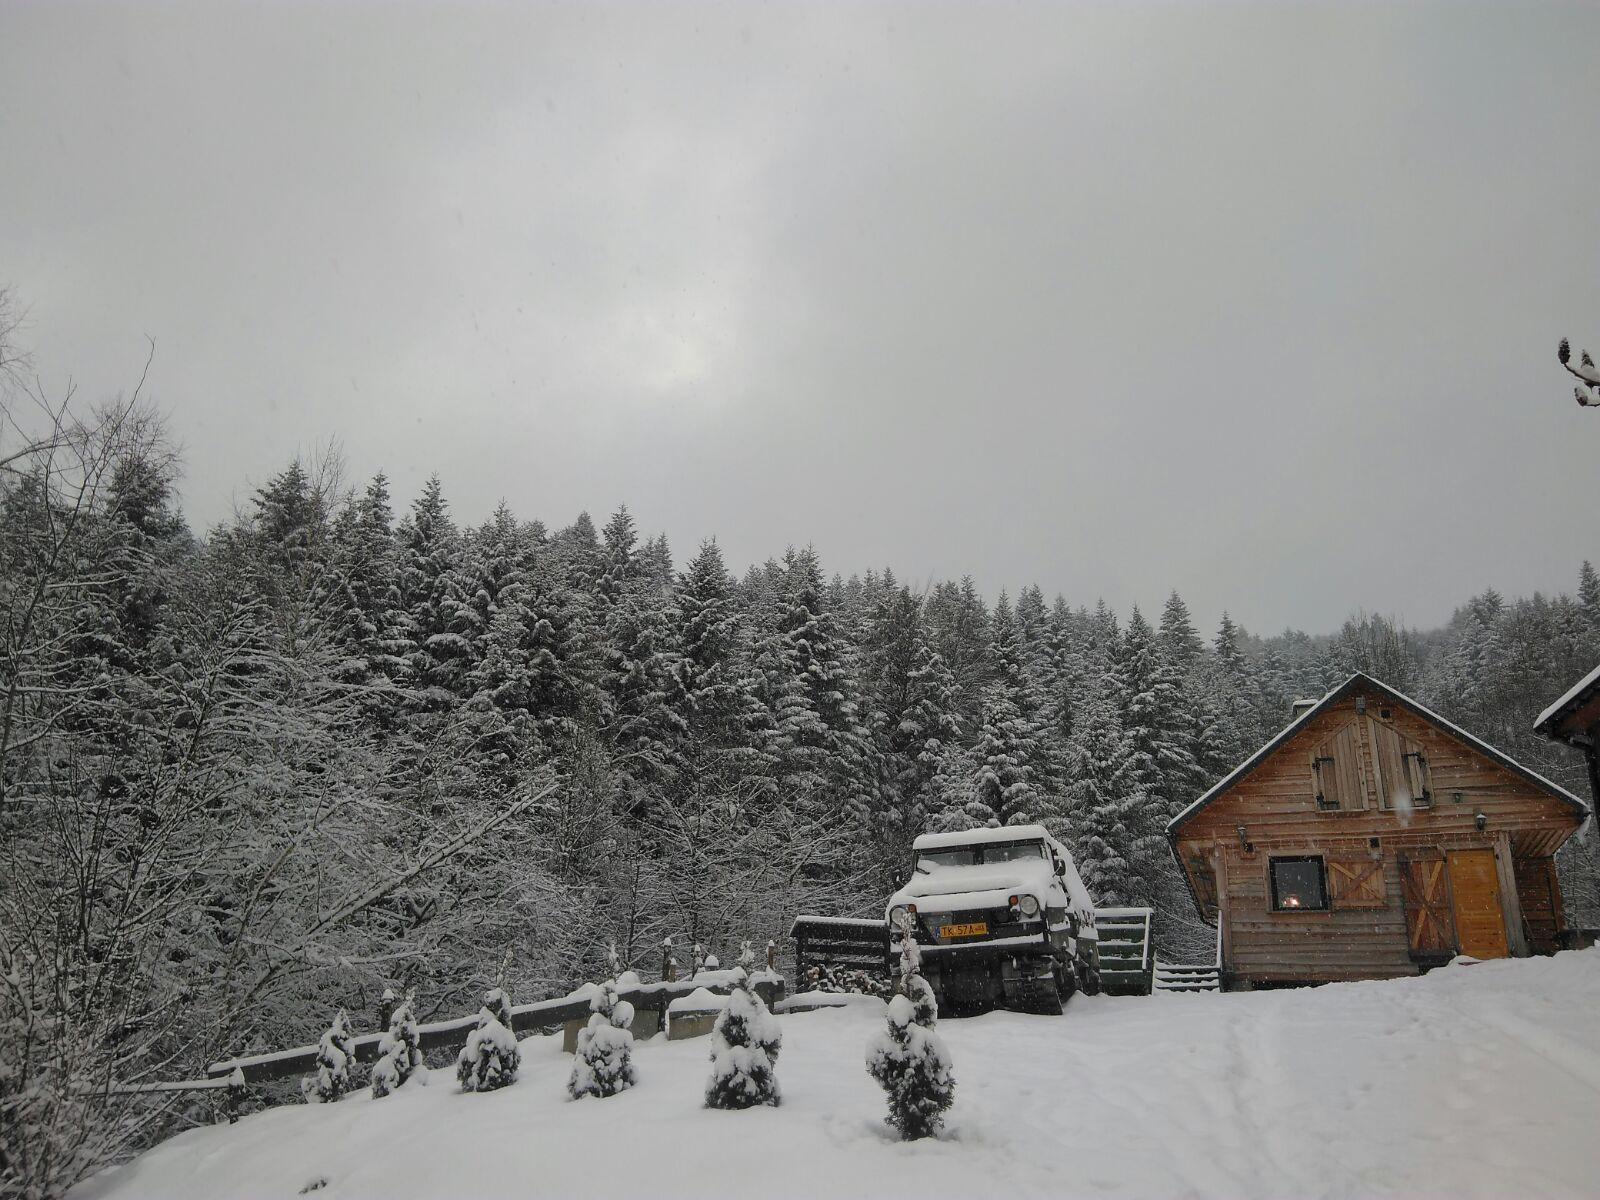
[[1391, 810]]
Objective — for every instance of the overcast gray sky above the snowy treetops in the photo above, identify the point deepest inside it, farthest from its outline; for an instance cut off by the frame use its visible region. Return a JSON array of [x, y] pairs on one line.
[[1254, 302]]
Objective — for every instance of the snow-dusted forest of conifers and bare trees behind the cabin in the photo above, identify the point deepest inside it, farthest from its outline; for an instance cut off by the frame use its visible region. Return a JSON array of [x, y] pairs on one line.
[[353, 742]]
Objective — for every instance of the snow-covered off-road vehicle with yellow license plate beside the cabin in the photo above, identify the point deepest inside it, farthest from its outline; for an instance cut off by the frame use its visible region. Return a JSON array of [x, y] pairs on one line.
[[1002, 919]]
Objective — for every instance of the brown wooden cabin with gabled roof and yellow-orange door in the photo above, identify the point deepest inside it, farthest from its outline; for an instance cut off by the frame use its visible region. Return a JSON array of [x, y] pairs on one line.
[[1374, 839]]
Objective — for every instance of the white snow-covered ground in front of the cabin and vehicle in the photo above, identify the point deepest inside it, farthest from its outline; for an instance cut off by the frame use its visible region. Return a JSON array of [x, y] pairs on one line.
[[1476, 1081]]
